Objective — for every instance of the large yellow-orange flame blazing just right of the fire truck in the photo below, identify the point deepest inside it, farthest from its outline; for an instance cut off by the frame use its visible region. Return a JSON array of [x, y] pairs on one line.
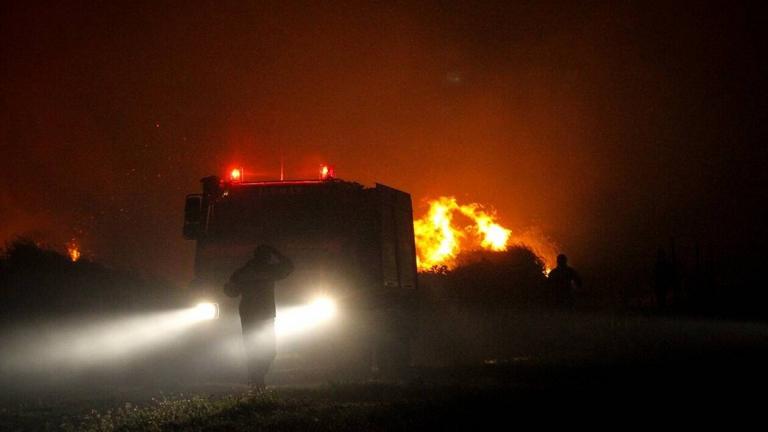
[[440, 238]]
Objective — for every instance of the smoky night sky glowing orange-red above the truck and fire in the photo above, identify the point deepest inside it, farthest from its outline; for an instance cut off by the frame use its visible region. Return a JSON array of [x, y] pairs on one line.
[[609, 126]]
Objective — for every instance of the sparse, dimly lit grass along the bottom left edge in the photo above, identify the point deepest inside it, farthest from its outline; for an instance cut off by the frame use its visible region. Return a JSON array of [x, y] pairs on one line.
[[331, 407]]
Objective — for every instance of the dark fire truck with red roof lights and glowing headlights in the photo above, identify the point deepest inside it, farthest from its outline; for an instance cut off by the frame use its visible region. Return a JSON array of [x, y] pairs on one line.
[[350, 243]]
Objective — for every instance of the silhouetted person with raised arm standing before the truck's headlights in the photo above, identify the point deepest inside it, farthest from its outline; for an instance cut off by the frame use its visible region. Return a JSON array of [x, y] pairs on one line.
[[255, 282]]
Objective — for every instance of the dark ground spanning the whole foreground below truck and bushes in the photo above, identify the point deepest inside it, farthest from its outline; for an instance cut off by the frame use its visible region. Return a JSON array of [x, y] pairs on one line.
[[579, 369]]
